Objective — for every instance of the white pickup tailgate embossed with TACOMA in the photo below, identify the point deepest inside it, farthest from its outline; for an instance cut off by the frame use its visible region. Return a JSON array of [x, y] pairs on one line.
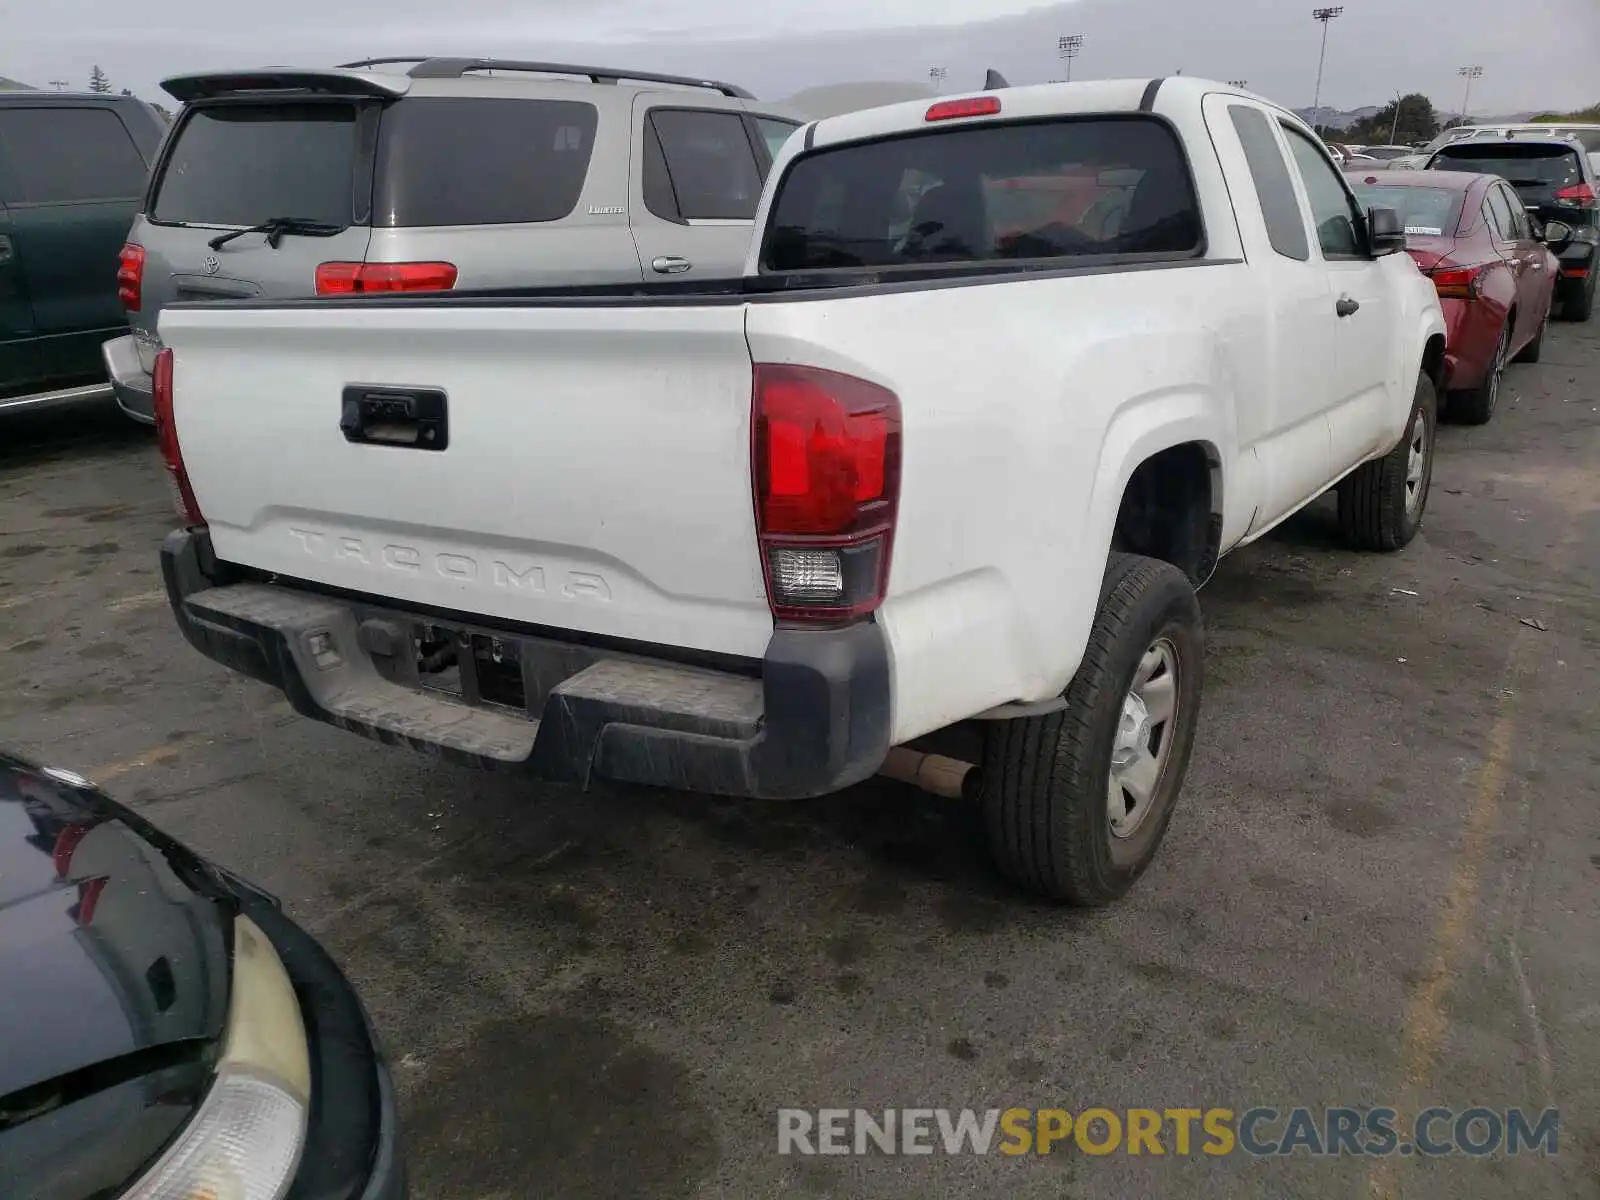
[[596, 474]]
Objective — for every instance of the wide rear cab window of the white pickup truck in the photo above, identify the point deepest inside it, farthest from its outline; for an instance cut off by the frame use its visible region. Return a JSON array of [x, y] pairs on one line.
[[1054, 190]]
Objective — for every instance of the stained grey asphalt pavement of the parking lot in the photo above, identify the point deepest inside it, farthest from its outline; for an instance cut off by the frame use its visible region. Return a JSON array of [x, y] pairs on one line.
[[1382, 887]]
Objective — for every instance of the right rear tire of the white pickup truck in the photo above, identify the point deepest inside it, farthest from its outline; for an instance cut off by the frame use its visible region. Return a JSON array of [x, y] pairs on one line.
[[1047, 790]]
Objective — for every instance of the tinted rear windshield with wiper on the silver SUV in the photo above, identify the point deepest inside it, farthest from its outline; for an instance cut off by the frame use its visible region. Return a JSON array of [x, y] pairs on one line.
[[244, 164]]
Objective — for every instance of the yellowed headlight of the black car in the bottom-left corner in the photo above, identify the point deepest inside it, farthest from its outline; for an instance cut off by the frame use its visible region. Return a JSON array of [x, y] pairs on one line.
[[246, 1140]]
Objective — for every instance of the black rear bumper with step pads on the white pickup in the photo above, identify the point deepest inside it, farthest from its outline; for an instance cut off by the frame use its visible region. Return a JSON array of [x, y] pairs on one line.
[[812, 718]]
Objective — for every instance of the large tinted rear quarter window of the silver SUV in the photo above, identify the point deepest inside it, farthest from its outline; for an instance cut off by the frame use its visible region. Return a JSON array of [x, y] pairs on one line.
[[446, 161]]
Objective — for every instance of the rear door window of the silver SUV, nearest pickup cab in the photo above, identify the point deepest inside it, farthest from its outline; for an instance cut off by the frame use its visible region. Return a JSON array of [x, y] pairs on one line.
[[710, 162]]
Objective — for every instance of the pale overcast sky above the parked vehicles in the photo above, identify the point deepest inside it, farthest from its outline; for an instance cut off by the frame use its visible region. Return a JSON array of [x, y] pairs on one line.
[[1537, 54]]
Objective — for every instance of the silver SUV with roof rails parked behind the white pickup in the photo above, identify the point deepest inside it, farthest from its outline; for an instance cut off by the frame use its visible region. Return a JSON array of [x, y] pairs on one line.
[[455, 174]]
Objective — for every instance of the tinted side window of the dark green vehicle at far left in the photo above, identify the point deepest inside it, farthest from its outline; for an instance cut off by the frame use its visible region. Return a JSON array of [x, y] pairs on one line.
[[71, 154]]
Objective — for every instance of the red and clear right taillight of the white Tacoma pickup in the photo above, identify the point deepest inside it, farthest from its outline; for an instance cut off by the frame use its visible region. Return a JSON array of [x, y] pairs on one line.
[[826, 468]]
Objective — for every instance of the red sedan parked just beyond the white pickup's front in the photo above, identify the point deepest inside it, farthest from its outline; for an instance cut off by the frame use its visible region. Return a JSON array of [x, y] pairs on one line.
[[1492, 265]]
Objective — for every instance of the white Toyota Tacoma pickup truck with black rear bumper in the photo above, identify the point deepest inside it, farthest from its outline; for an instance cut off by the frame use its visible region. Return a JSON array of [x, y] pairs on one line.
[[1002, 382]]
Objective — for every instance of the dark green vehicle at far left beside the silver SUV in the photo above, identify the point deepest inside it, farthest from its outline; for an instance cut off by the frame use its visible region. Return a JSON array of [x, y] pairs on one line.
[[73, 170]]
